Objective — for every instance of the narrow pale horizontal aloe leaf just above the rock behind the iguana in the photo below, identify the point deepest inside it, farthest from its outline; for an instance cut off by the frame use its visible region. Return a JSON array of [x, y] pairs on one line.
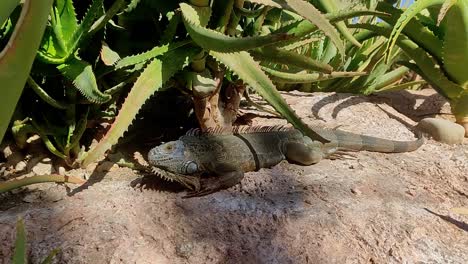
[[286, 77]]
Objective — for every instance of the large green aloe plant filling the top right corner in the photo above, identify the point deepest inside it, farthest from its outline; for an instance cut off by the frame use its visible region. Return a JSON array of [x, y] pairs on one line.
[[434, 36]]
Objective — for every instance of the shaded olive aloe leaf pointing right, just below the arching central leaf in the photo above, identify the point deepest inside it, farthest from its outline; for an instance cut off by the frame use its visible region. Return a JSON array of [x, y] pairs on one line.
[[290, 58]]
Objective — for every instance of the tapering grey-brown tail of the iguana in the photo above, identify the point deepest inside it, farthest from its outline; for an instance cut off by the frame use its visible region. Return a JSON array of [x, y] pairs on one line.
[[347, 140]]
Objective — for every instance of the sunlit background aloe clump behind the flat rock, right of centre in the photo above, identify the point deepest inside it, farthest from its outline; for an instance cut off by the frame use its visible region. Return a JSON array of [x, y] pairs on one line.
[[364, 71]]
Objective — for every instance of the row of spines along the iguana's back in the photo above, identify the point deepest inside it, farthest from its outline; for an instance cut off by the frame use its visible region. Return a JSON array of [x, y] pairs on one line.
[[238, 130]]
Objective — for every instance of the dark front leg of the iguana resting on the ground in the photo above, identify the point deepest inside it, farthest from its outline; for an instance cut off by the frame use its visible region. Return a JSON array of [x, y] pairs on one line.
[[225, 176]]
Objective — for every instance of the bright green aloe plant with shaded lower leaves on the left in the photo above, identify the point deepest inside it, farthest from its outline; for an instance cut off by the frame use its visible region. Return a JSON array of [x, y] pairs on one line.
[[66, 83]]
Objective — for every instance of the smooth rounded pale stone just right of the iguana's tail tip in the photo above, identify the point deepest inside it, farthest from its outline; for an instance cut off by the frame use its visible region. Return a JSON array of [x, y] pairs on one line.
[[442, 130]]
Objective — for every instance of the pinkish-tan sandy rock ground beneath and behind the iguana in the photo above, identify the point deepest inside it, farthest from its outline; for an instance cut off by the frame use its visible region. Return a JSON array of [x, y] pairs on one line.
[[376, 208]]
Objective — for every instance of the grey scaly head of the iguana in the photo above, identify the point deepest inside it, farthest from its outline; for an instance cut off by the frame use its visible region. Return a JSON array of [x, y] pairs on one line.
[[173, 157]]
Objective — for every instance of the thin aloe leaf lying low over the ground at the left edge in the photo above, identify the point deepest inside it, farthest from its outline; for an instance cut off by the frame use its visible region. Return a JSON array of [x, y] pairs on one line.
[[17, 183]]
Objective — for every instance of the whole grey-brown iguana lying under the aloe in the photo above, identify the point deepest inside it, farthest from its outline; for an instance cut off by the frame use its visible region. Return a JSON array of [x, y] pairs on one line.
[[226, 155]]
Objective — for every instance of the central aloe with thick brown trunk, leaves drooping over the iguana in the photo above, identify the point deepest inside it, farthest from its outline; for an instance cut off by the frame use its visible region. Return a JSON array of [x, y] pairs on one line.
[[224, 38]]
